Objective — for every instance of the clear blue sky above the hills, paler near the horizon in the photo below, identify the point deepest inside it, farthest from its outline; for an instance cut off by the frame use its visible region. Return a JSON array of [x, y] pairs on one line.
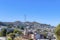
[[42, 11]]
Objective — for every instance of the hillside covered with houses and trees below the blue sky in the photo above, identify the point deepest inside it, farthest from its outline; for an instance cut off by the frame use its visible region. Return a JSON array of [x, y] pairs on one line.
[[26, 31]]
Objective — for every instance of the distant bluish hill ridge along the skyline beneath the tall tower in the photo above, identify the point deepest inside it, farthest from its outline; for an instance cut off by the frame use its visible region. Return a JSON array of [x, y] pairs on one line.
[[29, 24]]
